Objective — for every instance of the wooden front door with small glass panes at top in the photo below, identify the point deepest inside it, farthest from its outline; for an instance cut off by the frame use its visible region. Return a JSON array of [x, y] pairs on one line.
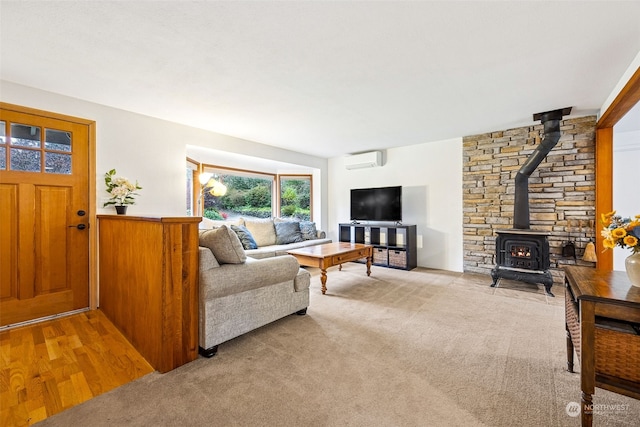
[[44, 199]]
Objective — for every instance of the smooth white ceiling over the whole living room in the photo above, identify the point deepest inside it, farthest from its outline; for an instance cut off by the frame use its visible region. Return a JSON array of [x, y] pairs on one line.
[[326, 77]]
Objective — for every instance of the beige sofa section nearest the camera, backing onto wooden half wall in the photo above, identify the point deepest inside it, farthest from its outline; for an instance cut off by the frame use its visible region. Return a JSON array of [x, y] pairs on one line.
[[239, 293]]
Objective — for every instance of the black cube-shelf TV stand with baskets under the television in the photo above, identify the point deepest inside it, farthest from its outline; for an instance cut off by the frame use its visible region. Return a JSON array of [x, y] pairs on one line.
[[394, 246]]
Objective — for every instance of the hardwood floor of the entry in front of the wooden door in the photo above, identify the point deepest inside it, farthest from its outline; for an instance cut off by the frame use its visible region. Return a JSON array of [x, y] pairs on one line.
[[51, 366]]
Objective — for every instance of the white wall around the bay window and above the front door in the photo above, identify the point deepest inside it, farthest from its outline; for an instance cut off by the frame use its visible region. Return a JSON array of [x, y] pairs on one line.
[[153, 151]]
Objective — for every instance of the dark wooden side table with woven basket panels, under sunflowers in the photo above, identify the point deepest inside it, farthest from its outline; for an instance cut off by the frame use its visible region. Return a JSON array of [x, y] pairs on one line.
[[603, 325]]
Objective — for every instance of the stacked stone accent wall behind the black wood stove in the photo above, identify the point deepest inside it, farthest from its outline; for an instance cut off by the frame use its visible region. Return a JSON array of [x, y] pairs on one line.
[[561, 190]]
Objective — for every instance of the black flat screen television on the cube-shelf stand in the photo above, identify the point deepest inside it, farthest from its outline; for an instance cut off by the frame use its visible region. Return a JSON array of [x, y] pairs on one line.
[[376, 204]]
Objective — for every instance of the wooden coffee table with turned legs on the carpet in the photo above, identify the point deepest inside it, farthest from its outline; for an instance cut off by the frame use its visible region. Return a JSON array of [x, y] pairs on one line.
[[332, 254]]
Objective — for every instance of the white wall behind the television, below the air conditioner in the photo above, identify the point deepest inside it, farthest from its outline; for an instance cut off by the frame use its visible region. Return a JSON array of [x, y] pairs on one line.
[[431, 178]]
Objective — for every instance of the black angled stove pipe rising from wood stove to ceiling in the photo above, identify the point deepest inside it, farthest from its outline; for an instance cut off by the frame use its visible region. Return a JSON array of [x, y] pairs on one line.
[[551, 122]]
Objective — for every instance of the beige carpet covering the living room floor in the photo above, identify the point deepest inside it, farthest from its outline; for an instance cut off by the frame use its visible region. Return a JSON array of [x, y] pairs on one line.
[[419, 348]]
